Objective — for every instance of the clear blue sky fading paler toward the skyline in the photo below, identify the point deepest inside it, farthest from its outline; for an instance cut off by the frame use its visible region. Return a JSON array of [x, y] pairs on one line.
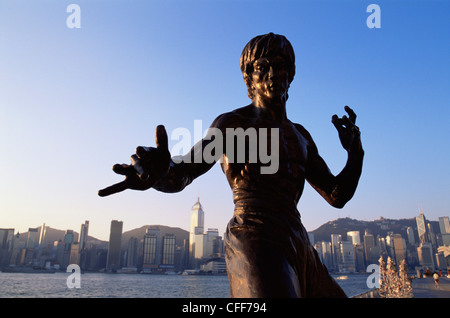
[[73, 102]]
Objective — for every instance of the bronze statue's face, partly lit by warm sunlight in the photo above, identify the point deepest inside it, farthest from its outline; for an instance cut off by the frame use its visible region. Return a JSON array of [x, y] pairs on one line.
[[270, 78]]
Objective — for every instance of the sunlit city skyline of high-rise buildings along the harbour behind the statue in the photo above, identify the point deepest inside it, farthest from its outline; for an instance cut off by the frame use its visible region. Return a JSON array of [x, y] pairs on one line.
[[201, 249]]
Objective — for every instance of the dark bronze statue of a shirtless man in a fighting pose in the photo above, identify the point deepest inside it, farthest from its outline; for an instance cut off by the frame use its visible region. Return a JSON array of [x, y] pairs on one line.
[[268, 253]]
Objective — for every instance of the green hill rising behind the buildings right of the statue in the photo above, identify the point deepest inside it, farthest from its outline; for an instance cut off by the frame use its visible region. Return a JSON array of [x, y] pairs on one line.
[[380, 227]]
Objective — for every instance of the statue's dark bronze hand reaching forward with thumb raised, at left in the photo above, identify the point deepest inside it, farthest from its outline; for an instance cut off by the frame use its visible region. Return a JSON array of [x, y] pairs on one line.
[[147, 166]]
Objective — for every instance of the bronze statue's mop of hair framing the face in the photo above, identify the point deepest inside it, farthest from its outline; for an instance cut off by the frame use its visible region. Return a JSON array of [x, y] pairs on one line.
[[267, 45]]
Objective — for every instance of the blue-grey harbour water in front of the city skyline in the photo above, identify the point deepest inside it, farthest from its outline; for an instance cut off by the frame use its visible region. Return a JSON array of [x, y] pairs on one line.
[[101, 285]]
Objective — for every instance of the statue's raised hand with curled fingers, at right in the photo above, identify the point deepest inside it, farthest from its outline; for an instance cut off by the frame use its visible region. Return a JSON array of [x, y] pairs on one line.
[[349, 133]]
